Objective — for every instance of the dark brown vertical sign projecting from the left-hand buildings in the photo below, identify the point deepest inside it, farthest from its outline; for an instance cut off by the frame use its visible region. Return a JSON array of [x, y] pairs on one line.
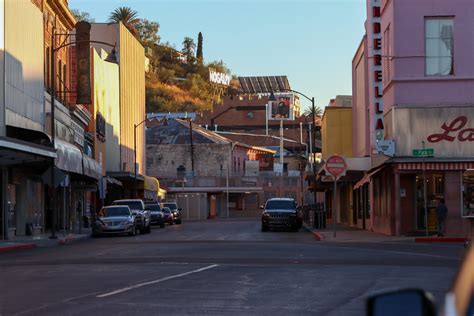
[[83, 61]]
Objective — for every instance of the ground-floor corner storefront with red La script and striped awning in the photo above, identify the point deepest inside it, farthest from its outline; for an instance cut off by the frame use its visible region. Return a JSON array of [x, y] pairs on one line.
[[434, 146]]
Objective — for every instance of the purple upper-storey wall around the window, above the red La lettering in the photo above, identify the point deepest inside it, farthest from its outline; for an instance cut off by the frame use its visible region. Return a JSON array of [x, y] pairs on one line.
[[410, 85]]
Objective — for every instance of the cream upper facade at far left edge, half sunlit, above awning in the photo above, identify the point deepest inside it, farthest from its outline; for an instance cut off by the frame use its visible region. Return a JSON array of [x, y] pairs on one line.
[[24, 65]]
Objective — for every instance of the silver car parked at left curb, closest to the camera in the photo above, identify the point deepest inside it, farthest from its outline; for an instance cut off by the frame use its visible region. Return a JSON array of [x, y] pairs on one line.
[[115, 220]]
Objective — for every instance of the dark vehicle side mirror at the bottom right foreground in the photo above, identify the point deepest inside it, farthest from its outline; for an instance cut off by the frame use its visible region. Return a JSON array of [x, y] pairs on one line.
[[413, 302]]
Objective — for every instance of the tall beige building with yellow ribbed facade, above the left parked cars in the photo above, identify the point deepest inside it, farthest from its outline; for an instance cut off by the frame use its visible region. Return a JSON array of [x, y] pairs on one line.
[[131, 57]]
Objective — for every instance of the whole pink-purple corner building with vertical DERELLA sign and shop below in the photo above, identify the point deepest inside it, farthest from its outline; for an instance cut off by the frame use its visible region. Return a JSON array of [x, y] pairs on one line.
[[413, 88]]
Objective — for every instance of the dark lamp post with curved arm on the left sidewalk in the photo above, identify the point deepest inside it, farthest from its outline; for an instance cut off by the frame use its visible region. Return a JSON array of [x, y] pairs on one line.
[[111, 58]]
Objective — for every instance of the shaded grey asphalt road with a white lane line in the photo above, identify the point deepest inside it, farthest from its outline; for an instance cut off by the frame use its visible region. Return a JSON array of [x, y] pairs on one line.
[[222, 267]]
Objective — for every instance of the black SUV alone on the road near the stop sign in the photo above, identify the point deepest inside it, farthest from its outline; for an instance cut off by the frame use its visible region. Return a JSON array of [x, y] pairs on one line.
[[281, 213]]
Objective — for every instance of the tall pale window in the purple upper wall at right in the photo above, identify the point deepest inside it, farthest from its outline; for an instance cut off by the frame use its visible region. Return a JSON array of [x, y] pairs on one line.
[[439, 47]]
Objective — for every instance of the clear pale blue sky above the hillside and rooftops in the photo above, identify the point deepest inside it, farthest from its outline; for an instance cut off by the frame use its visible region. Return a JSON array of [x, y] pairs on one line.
[[310, 41]]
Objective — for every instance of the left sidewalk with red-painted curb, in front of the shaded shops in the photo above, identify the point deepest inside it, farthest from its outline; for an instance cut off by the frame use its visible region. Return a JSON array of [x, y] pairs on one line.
[[42, 240]]
